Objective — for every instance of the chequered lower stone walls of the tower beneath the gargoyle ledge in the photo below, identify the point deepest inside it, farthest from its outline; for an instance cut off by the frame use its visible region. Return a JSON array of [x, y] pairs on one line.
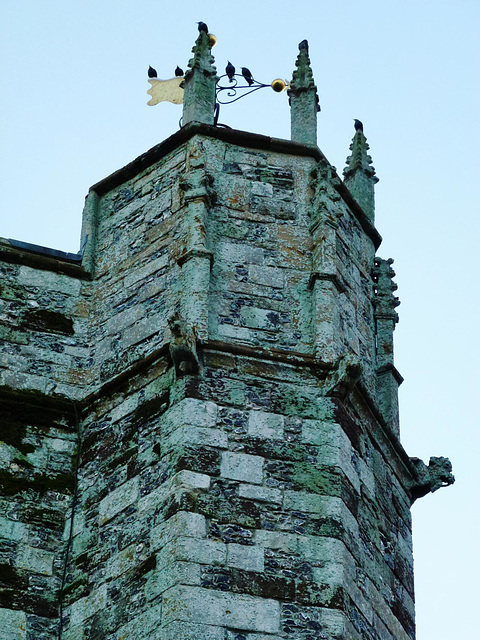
[[236, 507]]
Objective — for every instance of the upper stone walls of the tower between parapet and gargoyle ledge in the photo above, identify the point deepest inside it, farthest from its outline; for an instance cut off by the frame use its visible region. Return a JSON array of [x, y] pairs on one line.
[[258, 232]]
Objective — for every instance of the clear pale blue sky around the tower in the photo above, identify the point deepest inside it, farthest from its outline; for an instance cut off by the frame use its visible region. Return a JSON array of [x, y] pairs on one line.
[[73, 110]]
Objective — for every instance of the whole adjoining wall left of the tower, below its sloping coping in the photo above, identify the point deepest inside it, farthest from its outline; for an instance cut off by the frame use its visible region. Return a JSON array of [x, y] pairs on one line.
[[45, 362]]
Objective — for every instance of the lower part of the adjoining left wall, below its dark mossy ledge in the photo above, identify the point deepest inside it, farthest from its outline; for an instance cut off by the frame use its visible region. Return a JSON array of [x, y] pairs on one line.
[[39, 436]]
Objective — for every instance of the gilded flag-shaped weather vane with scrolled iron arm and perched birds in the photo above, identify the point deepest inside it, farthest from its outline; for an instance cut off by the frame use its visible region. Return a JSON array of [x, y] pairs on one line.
[[239, 85]]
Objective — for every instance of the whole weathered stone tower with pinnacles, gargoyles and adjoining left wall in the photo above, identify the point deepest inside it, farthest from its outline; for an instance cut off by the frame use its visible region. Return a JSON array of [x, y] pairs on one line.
[[199, 434]]
